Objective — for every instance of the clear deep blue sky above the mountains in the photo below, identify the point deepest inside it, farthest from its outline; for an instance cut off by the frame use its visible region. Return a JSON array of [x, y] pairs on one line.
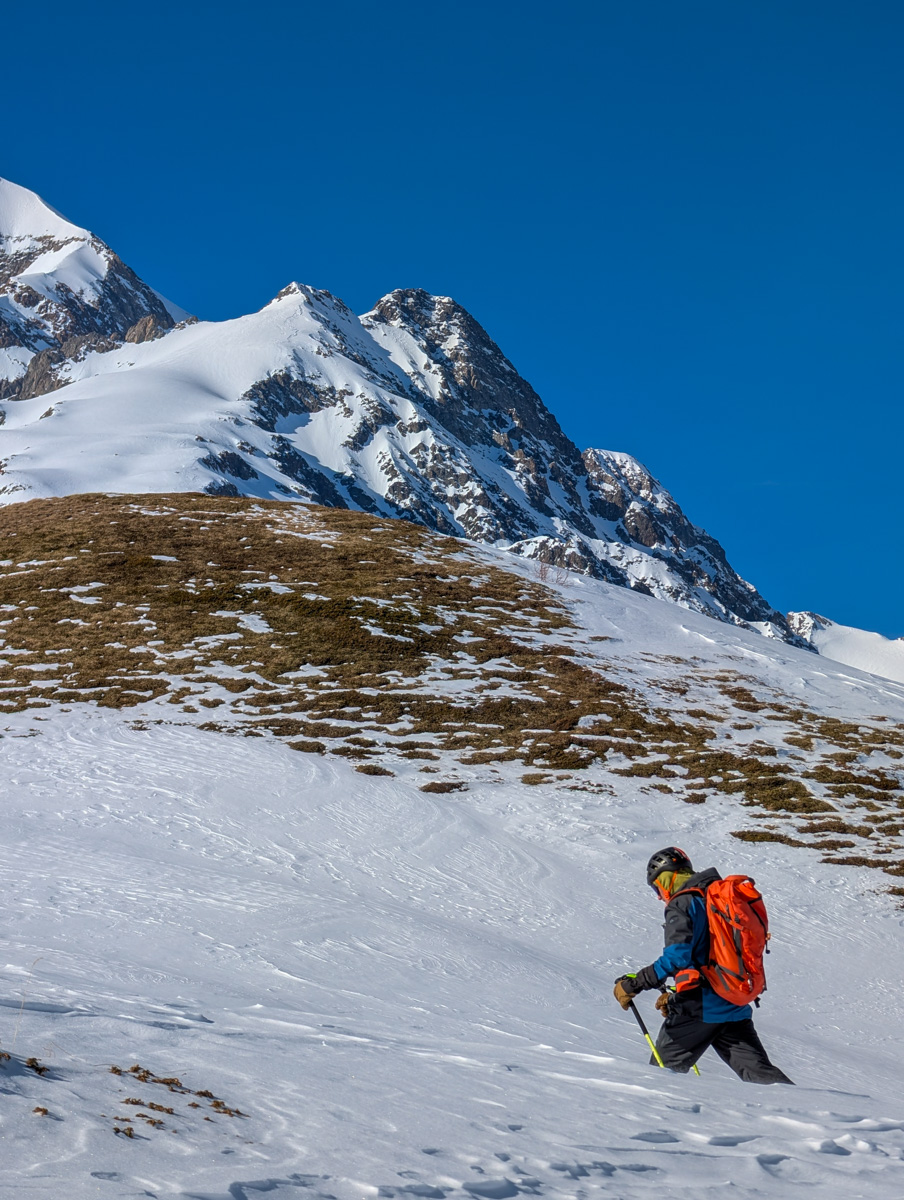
[[681, 223]]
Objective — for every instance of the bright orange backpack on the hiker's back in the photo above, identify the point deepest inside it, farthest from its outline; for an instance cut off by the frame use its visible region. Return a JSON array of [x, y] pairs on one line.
[[739, 937]]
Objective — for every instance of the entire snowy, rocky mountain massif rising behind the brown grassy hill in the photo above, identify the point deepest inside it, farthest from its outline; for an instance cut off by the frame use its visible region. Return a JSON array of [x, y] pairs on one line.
[[411, 411]]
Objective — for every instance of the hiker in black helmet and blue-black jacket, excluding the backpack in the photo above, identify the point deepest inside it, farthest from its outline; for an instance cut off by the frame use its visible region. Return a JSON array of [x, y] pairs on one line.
[[697, 1017]]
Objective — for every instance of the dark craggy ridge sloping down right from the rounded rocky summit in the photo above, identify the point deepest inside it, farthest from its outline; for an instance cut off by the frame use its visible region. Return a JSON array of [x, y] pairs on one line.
[[598, 512]]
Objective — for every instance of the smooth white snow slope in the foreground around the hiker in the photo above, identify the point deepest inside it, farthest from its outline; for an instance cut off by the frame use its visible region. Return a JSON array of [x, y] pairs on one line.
[[409, 994]]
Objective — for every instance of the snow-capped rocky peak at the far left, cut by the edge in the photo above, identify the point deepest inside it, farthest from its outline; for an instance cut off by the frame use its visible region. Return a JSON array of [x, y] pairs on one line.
[[62, 293]]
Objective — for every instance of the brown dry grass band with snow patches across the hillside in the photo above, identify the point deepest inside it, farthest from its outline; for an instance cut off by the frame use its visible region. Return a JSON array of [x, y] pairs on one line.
[[376, 640]]
